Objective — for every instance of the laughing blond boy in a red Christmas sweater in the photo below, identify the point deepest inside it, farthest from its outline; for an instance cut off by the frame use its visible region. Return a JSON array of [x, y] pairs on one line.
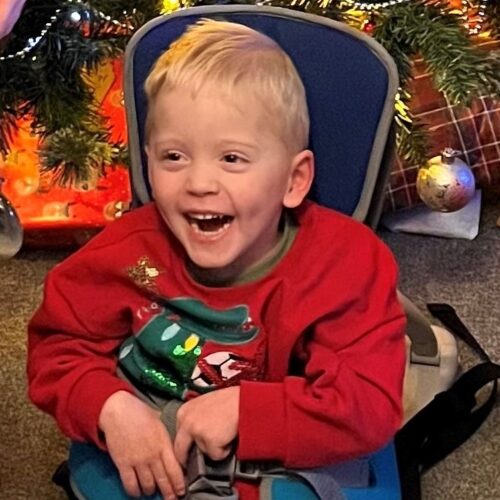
[[229, 281]]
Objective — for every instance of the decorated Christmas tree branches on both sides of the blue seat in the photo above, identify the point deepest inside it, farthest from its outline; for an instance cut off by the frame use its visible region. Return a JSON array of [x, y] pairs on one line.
[[44, 76]]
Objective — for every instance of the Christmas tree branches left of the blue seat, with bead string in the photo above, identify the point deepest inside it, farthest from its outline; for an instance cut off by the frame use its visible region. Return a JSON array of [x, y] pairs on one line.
[[43, 68]]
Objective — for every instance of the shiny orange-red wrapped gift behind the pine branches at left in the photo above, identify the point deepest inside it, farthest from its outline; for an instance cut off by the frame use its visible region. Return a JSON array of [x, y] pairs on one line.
[[53, 215]]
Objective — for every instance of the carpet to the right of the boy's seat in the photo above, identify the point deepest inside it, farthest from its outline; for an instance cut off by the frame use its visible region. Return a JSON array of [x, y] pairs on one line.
[[465, 274]]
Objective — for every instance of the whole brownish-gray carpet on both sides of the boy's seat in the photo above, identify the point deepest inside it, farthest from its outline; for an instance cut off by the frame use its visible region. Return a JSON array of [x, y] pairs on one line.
[[465, 274]]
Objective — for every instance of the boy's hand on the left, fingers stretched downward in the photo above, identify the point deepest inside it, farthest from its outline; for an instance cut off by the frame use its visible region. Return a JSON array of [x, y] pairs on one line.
[[140, 447]]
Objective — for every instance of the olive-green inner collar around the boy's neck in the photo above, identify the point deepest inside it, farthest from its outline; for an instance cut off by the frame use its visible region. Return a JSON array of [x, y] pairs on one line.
[[229, 276]]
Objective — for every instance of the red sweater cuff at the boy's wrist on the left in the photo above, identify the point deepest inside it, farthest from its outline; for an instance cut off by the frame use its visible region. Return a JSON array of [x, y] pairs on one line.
[[86, 401]]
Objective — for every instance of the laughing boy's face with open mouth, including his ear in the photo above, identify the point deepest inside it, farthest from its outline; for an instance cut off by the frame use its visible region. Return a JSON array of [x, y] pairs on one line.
[[220, 176]]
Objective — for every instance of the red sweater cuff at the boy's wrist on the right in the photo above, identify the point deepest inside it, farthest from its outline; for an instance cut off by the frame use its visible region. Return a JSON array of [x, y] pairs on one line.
[[262, 426]]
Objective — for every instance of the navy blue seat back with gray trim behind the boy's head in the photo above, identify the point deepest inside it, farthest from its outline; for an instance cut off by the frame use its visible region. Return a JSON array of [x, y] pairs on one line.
[[350, 80]]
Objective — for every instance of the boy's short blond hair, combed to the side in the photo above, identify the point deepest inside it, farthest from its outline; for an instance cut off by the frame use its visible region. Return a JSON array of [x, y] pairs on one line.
[[235, 57]]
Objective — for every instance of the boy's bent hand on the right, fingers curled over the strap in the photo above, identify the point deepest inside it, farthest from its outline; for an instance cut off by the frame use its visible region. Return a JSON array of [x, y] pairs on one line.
[[210, 421]]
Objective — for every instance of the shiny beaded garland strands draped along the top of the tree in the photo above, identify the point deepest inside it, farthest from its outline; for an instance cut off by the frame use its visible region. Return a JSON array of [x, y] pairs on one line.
[[75, 16]]
